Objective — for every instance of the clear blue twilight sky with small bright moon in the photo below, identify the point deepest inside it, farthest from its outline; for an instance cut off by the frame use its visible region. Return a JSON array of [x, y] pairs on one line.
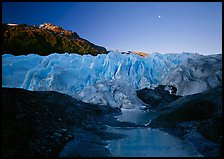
[[162, 27]]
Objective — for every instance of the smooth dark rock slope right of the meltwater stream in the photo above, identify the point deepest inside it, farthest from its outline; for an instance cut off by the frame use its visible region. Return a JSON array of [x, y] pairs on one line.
[[196, 118]]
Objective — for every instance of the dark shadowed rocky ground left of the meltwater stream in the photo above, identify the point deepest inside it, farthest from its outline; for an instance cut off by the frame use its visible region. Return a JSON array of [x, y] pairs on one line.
[[36, 123]]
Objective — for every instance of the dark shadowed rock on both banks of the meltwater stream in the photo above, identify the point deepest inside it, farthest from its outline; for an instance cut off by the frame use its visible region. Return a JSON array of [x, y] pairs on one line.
[[48, 123]]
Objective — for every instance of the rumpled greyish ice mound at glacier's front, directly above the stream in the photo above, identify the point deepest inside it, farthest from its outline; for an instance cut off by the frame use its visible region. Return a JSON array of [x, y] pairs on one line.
[[114, 93]]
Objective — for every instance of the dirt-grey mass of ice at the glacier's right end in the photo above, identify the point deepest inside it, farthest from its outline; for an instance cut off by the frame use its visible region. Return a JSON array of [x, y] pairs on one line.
[[196, 75]]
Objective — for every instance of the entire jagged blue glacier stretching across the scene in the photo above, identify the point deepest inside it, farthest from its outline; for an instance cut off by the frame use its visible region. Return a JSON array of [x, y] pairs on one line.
[[113, 78]]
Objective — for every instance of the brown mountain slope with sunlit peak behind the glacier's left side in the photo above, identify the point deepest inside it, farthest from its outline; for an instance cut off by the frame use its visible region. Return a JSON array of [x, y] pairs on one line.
[[44, 40]]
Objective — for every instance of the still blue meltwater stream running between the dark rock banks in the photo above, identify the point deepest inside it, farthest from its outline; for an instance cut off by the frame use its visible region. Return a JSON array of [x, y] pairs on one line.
[[146, 142]]
